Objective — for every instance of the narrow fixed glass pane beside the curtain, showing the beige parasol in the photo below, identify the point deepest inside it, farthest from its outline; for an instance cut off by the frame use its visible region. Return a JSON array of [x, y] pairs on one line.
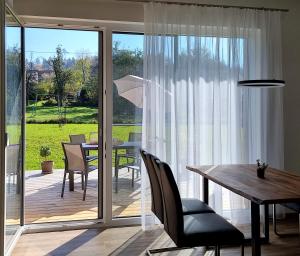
[[127, 120]]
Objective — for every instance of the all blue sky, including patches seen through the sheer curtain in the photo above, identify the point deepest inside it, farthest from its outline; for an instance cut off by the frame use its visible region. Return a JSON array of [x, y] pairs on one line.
[[42, 43]]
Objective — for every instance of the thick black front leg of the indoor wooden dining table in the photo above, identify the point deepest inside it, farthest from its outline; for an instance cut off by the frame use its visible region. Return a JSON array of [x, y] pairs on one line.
[[255, 229]]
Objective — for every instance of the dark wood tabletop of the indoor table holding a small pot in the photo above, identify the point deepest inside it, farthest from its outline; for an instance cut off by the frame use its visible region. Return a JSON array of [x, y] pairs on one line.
[[277, 186]]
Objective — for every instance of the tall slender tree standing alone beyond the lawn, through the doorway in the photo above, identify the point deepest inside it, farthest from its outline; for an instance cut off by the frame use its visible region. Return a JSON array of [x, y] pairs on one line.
[[62, 76]]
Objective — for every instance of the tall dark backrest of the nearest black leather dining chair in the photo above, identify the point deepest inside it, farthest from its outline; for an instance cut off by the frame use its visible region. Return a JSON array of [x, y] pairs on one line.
[[173, 214]]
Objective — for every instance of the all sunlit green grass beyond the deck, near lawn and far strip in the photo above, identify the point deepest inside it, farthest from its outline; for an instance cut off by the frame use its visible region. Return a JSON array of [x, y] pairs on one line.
[[42, 129]]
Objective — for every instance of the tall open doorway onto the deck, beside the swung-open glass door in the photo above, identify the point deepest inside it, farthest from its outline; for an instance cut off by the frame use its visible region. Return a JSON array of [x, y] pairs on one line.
[[62, 106]]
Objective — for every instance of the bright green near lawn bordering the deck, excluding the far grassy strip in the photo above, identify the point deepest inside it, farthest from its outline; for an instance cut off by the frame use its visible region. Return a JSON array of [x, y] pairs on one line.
[[52, 135]]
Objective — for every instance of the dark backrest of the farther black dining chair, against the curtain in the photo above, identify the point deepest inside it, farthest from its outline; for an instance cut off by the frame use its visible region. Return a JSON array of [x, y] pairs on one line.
[[157, 201]]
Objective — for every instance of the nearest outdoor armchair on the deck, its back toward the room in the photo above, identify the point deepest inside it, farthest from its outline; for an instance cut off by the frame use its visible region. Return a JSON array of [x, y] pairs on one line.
[[75, 163]]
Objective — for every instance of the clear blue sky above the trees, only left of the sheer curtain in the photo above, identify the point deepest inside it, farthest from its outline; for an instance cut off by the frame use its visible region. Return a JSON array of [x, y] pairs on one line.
[[43, 42]]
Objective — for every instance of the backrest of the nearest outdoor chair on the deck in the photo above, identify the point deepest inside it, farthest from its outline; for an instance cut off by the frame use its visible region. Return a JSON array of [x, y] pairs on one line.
[[74, 157]]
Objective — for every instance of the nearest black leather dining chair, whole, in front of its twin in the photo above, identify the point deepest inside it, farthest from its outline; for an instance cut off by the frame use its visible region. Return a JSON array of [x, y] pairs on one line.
[[192, 230]]
